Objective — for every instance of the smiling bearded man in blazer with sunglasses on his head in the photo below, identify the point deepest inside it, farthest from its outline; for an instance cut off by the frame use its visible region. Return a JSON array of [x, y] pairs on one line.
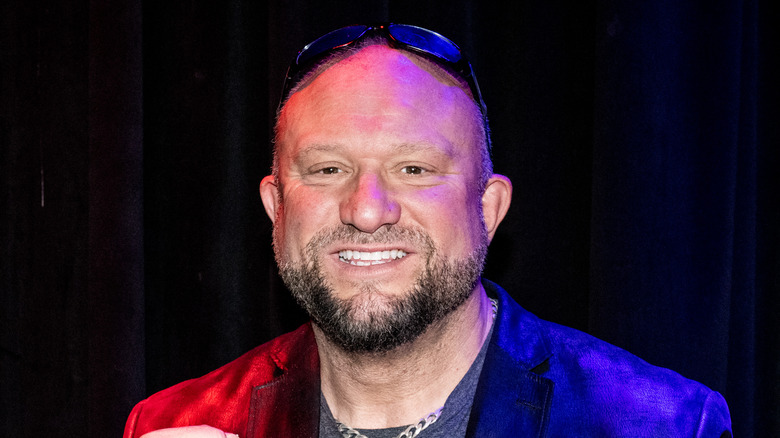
[[384, 202]]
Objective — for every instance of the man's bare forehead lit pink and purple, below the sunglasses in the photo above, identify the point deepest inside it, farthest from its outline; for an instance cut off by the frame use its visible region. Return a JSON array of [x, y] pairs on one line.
[[382, 85]]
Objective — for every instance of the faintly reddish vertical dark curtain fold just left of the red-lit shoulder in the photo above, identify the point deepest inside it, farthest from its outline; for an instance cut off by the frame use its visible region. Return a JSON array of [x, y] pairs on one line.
[[114, 314]]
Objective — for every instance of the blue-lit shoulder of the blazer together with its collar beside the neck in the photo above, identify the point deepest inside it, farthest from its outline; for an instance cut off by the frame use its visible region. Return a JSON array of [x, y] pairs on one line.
[[600, 386]]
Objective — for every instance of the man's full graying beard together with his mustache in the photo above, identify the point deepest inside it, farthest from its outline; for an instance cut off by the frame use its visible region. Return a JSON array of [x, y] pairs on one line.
[[442, 286]]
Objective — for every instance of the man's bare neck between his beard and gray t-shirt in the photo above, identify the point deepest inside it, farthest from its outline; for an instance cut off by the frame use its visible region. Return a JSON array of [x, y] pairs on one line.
[[395, 388]]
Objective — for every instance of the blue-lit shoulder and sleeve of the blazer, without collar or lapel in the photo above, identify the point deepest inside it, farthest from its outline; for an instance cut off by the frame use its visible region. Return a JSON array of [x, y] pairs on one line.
[[625, 389]]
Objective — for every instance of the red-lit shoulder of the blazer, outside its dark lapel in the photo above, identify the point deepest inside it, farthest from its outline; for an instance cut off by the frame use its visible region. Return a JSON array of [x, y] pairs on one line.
[[221, 398]]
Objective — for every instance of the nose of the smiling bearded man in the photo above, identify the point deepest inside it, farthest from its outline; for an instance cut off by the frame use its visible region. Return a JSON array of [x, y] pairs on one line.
[[369, 205]]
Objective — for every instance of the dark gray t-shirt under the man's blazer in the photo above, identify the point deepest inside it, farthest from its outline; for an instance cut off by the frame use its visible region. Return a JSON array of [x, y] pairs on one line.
[[451, 423]]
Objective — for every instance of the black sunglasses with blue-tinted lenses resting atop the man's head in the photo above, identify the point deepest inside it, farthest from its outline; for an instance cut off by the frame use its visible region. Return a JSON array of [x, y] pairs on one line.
[[424, 42]]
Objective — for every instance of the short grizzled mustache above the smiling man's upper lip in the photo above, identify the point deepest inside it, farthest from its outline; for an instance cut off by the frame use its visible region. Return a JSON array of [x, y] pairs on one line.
[[387, 234]]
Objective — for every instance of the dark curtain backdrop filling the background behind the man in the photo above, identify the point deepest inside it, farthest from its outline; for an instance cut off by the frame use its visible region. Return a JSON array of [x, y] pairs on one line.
[[640, 137]]
